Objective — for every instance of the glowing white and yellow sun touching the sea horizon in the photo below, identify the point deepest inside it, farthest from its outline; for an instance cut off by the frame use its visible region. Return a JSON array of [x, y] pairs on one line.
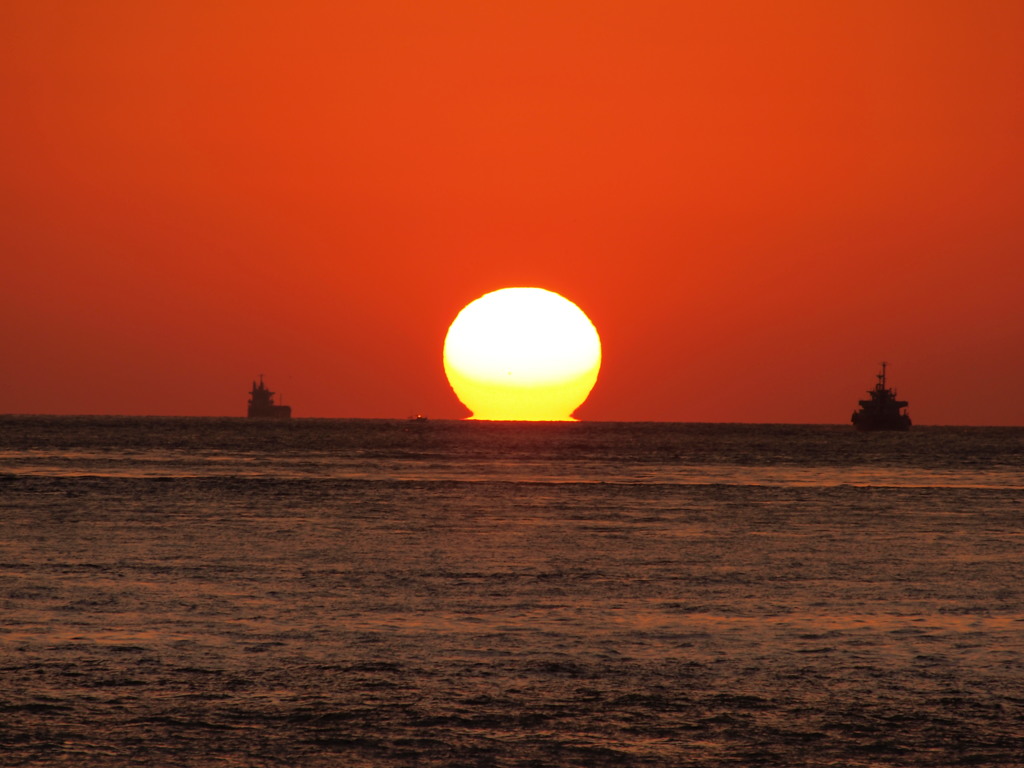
[[523, 355]]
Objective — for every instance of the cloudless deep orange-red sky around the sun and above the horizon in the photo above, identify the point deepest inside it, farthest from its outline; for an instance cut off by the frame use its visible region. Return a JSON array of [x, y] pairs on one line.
[[755, 202]]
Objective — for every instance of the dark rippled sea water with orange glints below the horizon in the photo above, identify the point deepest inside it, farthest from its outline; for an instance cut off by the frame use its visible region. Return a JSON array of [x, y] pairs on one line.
[[202, 592]]
